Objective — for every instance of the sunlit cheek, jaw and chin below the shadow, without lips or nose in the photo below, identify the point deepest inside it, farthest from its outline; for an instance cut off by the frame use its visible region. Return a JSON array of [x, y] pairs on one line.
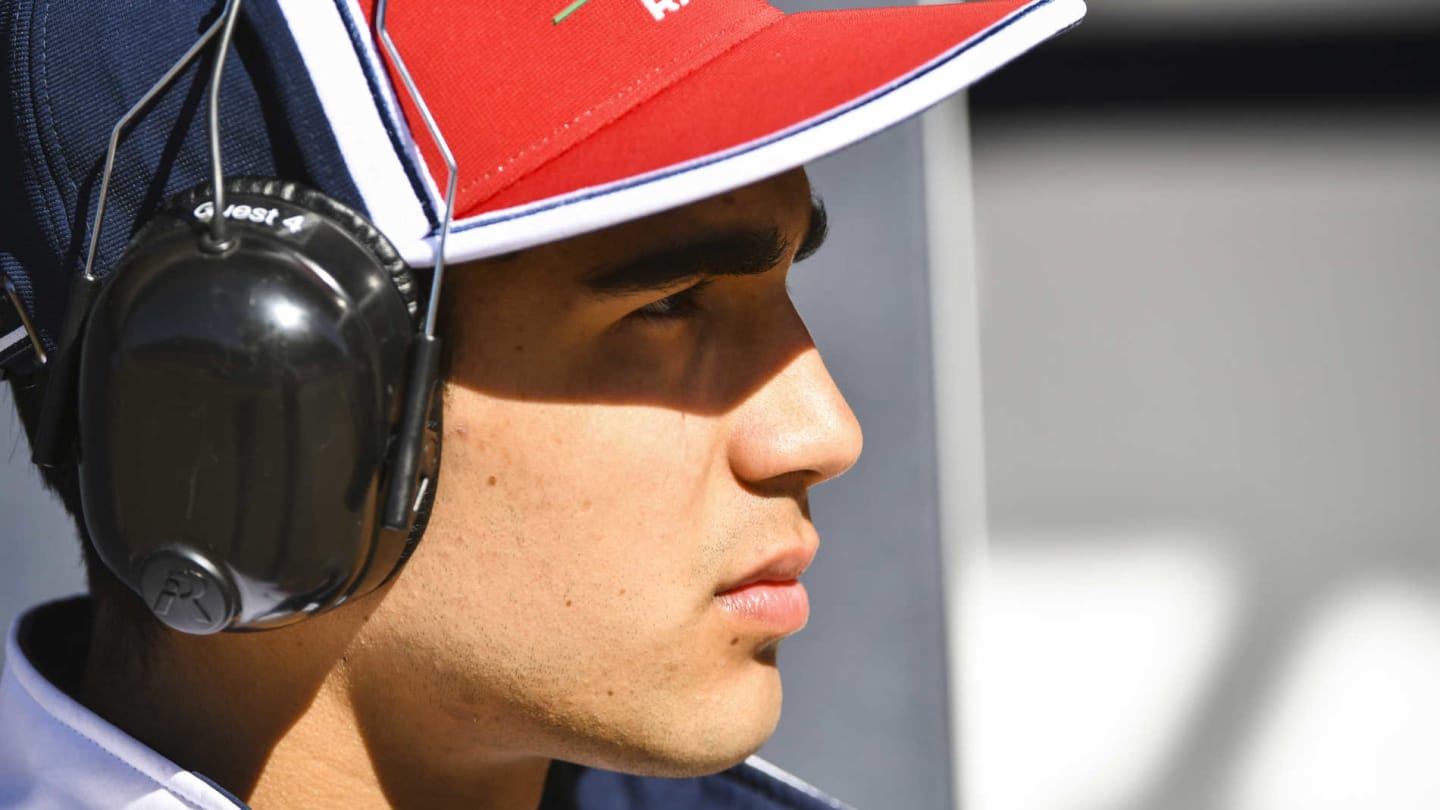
[[565, 589]]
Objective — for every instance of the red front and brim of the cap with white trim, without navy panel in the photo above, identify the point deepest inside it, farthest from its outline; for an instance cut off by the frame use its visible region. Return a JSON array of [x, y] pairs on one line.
[[571, 116]]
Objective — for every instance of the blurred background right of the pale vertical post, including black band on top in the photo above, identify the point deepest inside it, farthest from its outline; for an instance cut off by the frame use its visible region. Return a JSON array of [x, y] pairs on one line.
[[1209, 247]]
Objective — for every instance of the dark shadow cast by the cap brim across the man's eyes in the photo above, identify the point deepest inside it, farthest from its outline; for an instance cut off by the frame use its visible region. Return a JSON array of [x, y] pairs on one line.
[[685, 311]]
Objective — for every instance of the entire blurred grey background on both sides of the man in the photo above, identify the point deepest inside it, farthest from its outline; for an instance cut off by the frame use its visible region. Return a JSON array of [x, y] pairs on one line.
[[1169, 538]]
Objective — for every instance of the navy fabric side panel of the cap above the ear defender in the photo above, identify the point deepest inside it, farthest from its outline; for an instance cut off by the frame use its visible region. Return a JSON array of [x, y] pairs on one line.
[[74, 73]]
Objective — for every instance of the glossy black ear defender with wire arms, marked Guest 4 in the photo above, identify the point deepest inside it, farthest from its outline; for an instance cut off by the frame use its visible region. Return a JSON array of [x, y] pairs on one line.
[[258, 394]]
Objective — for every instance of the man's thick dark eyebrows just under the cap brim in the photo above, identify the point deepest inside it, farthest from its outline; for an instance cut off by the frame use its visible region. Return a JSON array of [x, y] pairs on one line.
[[732, 253]]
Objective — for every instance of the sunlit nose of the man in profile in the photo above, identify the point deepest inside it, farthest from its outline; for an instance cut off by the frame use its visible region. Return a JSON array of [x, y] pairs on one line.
[[796, 430]]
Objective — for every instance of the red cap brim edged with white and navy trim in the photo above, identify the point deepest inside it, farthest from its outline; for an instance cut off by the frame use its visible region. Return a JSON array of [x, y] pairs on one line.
[[801, 89]]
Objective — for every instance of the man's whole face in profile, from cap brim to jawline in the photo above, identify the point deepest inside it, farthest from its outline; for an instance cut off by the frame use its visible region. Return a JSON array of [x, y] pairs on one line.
[[633, 422]]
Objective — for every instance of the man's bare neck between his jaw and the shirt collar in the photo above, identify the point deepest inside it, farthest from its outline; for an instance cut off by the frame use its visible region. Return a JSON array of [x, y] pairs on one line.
[[273, 718]]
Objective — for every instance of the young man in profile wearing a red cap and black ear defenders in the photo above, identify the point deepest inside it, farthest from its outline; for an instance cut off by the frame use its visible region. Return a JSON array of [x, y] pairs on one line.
[[633, 410]]
